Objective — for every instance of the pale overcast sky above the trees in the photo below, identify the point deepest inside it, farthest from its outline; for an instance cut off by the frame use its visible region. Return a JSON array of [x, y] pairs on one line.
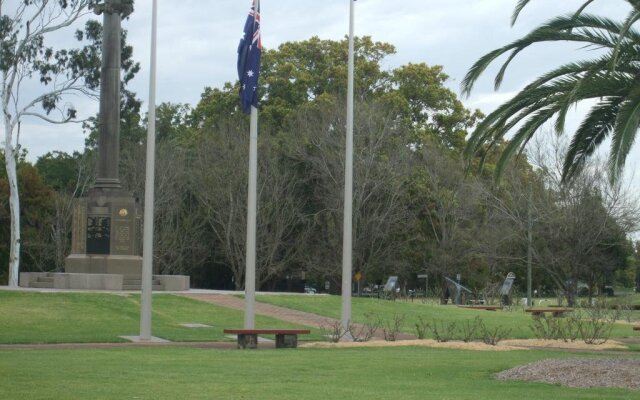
[[197, 42]]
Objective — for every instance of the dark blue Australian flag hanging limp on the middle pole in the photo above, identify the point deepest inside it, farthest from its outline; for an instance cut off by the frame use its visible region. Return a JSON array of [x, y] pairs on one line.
[[249, 51]]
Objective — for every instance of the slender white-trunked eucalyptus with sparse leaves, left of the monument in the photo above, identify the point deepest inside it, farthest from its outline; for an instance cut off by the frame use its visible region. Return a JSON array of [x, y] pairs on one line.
[[25, 59]]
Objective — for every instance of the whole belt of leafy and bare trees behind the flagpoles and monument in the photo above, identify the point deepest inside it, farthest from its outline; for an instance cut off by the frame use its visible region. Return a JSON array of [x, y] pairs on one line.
[[414, 208]]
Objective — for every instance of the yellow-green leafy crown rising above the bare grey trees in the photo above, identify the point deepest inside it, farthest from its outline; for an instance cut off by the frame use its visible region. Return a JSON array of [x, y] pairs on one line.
[[315, 70]]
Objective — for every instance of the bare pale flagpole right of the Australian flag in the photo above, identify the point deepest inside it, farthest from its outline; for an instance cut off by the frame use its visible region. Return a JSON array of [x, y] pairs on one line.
[[347, 237]]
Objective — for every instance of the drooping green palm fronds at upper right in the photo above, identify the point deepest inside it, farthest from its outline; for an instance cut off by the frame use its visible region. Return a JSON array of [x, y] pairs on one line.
[[611, 79]]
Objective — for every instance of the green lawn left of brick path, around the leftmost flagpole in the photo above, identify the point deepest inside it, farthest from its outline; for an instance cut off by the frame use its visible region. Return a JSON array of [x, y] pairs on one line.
[[32, 317]]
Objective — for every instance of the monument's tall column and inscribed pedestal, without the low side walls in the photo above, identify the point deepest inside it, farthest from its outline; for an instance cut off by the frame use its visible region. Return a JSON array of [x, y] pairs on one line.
[[106, 222]]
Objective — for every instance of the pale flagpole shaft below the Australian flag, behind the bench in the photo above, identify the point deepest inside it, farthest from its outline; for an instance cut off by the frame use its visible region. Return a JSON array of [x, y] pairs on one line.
[[250, 273]]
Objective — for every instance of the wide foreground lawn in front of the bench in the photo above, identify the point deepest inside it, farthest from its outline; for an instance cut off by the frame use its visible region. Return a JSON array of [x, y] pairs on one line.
[[365, 373]]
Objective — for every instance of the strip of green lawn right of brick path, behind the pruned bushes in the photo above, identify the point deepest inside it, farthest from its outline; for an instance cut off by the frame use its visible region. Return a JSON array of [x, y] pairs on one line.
[[517, 321]]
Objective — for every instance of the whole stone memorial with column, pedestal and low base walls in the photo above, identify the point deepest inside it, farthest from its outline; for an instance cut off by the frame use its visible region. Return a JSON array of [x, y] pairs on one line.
[[105, 248]]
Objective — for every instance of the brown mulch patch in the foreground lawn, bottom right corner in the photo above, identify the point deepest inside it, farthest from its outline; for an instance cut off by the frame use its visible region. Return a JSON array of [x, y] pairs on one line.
[[579, 373]]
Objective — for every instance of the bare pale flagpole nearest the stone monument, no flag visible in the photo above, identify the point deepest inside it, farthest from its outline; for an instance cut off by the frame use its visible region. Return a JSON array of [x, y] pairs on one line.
[[147, 252]]
